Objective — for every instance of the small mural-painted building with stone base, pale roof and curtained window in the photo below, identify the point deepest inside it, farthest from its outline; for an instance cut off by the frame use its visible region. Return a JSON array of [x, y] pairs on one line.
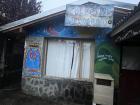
[[60, 61]]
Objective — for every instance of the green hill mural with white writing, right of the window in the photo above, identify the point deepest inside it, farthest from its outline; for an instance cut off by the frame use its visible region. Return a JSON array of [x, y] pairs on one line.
[[107, 57]]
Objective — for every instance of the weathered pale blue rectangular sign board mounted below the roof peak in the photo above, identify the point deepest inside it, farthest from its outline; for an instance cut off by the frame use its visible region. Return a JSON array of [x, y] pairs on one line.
[[89, 15]]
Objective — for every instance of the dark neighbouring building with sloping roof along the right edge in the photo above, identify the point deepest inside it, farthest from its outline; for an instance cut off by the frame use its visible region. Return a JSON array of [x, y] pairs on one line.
[[127, 35]]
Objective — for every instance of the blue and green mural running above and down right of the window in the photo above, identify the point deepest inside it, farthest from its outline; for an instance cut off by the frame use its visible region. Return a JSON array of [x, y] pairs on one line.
[[107, 56]]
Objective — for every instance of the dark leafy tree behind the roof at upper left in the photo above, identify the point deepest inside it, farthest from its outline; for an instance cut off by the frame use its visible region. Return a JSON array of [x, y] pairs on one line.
[[13, 10]]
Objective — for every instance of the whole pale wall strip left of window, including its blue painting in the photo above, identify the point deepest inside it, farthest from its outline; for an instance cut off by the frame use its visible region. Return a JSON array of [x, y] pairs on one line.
[[32, 58]]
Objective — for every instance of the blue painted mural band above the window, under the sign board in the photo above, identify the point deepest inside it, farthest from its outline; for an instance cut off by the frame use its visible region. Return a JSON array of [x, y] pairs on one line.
[[56, 28]]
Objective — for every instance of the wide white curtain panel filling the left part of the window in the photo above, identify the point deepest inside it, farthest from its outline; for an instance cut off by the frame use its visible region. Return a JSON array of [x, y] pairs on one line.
[[59, 56]]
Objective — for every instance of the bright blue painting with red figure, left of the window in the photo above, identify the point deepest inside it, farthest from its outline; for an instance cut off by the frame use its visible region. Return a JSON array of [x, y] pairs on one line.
[[32, 62]]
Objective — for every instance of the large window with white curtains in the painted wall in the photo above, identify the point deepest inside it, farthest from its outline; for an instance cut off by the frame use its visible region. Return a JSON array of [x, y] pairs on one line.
[[69, 59]]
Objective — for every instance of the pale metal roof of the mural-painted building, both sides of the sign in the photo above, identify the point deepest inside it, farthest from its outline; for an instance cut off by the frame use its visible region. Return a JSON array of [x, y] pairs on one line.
[[57, 11]]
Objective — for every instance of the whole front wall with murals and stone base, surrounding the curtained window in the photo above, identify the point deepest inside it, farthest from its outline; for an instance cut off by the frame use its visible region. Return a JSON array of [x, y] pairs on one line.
[[35, 83]]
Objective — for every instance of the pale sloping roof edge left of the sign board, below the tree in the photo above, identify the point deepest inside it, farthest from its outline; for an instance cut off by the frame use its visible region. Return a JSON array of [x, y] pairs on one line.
[[32, 19]]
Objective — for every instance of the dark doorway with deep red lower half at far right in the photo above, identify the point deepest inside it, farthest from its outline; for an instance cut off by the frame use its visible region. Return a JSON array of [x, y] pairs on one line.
[[130, 76]]
